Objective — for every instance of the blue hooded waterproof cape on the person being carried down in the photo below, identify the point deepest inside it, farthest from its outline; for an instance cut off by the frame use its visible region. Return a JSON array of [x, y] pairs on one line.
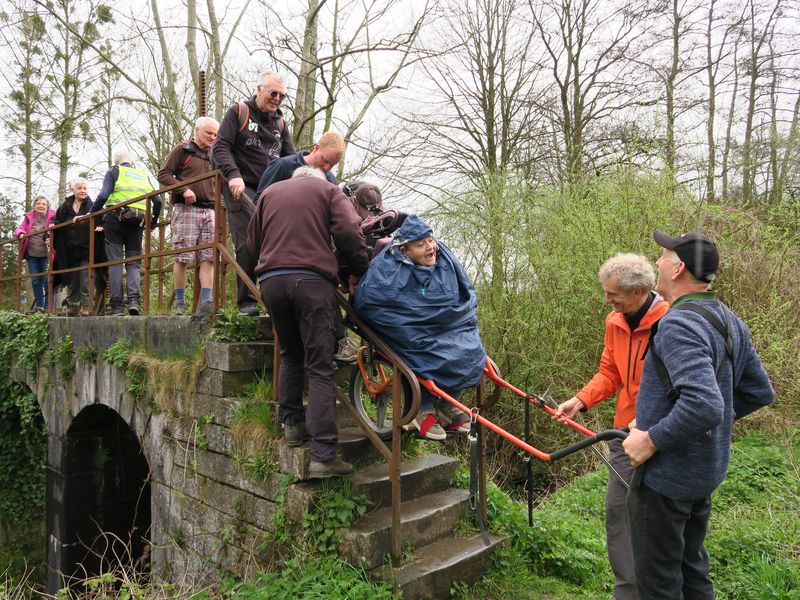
[[427, 315]]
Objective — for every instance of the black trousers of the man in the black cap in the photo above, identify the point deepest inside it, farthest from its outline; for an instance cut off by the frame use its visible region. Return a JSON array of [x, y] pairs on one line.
[[670, 560]]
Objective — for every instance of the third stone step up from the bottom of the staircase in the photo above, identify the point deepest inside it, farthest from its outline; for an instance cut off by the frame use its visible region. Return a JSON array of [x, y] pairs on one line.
[[426, 475]]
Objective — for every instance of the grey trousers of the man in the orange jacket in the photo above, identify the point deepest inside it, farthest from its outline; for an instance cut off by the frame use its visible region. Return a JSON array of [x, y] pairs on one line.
[[618, 533]]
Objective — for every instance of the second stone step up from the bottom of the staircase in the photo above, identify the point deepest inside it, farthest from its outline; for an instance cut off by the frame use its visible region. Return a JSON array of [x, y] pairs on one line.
[[422, 521]]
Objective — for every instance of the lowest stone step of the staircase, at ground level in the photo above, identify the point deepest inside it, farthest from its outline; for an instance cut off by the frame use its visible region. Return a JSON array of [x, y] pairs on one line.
[[436, 567]]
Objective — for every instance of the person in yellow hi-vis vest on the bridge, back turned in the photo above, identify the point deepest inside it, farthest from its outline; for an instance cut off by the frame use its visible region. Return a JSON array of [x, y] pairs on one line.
[[124, 226]]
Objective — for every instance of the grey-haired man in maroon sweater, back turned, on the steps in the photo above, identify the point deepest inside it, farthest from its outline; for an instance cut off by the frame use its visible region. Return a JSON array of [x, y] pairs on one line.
[[291, 233]]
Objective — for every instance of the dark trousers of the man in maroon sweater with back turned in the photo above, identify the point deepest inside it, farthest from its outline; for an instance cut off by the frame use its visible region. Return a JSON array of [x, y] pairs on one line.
[[303, 309]]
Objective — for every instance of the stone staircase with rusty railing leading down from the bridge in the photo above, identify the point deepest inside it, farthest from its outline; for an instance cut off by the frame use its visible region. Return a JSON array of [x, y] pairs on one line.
[[434, 558]]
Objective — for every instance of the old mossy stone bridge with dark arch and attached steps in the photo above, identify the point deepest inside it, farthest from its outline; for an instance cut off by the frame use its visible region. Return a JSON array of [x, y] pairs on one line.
[[149, 472]]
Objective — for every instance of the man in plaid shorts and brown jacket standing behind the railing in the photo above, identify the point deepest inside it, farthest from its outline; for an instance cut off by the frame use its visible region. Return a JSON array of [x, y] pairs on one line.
[[192, 211]]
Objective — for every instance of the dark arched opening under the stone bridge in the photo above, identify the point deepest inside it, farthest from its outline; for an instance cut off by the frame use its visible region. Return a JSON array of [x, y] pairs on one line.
[[98, 499]]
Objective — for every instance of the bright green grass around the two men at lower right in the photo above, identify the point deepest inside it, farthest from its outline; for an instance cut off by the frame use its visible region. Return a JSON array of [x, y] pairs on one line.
[[752, 540]]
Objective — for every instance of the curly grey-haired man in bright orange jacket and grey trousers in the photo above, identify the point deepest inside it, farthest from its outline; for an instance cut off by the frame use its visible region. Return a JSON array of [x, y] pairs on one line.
[[628, 281]]
